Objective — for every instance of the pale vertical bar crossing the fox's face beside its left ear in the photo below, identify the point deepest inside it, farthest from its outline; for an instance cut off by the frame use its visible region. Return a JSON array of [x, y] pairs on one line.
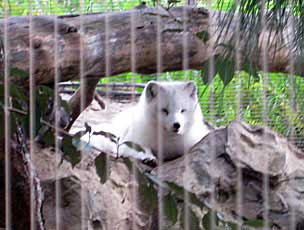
[[159, 128]]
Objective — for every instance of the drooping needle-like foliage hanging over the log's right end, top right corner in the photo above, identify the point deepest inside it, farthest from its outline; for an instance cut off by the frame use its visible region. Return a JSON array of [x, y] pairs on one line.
[[255, 16]]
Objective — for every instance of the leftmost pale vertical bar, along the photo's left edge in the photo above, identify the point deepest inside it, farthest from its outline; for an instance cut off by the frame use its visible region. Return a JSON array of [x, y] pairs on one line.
[[7, 133]]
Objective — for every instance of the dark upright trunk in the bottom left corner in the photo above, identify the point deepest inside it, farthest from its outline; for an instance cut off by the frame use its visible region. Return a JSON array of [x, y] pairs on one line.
[[25, 192]]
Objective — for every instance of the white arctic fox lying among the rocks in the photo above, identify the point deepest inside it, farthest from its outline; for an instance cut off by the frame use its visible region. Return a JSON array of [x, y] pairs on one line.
[[167, 119]]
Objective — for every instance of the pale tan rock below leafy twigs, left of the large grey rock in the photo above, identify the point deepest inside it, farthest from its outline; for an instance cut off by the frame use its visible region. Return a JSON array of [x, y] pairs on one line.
[[112, 205]]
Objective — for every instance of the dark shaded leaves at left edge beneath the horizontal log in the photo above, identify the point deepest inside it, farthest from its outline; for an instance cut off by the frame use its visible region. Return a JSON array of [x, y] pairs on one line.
[[42, 116]]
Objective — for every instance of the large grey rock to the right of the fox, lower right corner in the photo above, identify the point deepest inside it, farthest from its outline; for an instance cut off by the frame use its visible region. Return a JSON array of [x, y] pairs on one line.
[[240, 156]]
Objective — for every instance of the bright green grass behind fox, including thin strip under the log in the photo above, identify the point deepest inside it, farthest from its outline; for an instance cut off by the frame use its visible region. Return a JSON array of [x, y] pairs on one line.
[[225, 97]]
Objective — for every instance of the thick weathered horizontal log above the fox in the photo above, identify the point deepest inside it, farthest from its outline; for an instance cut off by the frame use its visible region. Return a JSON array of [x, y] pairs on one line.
[[104, 43]]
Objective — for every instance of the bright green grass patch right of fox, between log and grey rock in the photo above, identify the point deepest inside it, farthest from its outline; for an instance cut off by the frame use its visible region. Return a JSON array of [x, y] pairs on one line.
[[243, 97]]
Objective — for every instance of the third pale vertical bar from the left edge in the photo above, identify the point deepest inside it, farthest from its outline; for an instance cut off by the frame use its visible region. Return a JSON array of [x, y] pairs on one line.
[[55, 109]]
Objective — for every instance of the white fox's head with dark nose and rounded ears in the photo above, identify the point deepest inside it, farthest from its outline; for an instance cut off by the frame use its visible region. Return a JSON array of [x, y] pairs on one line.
[[171, 105]]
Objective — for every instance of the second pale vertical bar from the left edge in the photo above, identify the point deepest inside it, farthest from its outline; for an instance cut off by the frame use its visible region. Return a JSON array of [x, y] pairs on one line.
[[32, 115]]
